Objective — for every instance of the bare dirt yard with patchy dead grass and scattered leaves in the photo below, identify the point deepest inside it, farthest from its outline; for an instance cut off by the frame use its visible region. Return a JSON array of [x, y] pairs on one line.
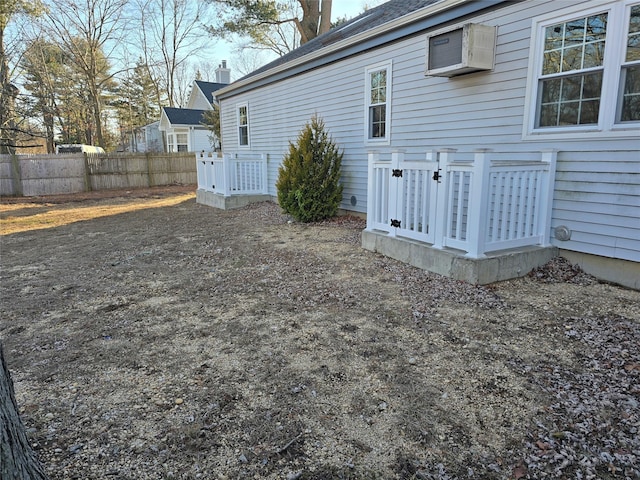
[[150, 337]]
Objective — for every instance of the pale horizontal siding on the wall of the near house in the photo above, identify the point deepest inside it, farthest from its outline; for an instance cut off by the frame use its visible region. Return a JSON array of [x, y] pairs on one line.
[[478, 110]]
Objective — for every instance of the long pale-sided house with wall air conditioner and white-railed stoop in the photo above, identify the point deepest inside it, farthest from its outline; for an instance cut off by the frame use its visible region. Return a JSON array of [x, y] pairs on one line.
[[547, 83]]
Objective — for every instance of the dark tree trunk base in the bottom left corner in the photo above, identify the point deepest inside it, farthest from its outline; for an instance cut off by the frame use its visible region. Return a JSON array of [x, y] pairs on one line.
[[17, 460]]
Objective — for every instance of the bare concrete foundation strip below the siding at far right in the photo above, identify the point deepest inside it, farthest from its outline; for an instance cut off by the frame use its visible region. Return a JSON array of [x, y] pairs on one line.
[[614, 270]]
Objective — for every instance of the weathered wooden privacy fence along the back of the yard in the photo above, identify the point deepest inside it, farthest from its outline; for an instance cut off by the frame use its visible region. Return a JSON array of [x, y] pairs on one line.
[[32, 175]]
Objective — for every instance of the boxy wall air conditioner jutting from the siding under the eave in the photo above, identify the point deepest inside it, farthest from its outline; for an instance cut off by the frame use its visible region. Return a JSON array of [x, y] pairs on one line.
[[464, 50]]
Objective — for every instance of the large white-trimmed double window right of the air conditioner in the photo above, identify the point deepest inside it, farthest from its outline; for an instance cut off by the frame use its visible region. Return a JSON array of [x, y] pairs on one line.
[[587, 70]]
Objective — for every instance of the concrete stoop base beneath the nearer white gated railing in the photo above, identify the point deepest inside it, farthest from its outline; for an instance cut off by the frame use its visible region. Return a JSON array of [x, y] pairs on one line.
[[501, 265]]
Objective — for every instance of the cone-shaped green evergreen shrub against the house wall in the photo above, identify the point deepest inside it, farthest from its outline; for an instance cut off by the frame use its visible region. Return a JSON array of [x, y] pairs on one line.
[[308, 183]]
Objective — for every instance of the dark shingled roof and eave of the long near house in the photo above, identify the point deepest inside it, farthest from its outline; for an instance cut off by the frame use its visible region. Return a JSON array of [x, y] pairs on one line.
[[383, 24]]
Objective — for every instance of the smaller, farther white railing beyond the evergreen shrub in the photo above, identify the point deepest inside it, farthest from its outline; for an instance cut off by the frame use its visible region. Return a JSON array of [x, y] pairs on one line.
[[232, 174]]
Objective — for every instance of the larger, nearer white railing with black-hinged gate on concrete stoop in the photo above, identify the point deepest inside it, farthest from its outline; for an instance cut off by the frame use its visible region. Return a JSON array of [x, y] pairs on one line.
[[478, 206]]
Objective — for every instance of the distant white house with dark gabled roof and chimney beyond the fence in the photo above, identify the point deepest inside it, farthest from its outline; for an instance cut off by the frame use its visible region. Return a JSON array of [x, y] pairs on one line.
[[183, 128]]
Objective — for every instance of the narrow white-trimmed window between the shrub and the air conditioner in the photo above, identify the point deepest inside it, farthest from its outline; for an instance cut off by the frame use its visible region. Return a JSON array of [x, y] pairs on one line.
[[378, 103]]
